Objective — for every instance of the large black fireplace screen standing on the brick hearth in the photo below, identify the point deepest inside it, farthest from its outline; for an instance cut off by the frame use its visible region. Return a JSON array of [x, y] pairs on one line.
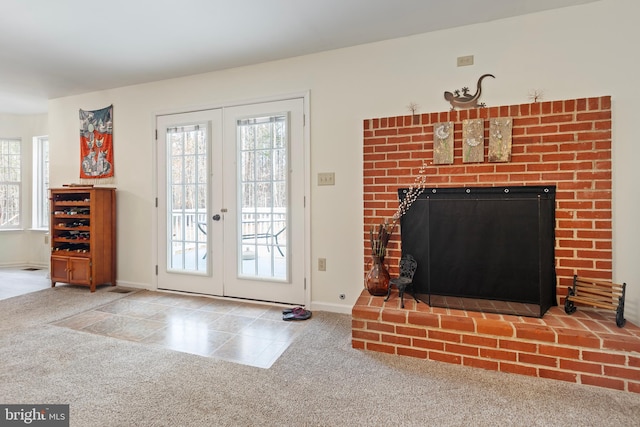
[[484, 249]]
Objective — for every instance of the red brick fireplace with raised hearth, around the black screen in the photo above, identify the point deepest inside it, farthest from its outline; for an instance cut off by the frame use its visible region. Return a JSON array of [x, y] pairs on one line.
[[566, 144]]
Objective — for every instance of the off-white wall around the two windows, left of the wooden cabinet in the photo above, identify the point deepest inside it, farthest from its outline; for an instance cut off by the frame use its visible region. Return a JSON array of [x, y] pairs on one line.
[[24, 246]]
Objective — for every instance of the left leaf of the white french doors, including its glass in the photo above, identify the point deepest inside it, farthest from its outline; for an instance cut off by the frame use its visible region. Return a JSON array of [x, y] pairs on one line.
[[190, 237]]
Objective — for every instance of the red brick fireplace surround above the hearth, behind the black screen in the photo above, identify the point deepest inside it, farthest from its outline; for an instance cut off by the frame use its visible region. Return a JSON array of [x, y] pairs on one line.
[[562, 143]]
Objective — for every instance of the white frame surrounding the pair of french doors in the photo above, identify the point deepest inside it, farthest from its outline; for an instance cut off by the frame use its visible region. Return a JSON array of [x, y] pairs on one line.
[[307, 179]]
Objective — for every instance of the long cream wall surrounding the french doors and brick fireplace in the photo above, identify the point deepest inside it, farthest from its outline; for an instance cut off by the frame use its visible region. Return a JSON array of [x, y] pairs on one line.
[[568, 53]]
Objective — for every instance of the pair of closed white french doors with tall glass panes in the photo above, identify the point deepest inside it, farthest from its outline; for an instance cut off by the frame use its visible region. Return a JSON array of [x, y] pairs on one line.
[[231, 202]]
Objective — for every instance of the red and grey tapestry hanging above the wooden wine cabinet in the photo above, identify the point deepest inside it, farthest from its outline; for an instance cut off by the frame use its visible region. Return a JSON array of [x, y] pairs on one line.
[[96, 145]]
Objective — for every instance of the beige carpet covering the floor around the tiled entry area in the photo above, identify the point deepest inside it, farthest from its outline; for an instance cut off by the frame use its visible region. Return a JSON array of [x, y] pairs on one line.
[[319, 381]]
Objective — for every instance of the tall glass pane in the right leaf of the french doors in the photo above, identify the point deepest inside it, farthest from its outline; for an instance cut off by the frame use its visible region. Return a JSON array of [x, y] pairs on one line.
[[263, 197]]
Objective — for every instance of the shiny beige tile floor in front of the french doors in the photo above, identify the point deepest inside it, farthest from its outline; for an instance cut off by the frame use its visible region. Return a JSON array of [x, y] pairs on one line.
[[234, 330]]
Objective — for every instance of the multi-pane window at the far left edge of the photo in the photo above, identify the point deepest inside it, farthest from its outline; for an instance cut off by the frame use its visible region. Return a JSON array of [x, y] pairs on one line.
[[10, 183]]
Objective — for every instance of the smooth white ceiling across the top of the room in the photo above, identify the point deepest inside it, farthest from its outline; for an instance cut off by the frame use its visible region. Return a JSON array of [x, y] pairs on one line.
[[51, 49]]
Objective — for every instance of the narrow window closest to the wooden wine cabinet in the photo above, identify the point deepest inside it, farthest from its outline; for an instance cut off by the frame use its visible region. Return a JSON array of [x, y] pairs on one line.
[[41, 182]]
